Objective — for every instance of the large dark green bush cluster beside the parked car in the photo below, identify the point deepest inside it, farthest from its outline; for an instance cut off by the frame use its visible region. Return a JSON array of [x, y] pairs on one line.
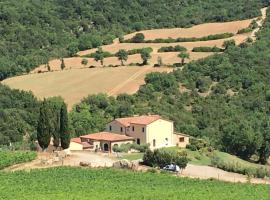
[[162, 157]]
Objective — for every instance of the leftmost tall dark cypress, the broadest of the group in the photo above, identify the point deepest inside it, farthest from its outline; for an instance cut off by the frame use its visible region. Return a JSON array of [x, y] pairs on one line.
[[44, 128]]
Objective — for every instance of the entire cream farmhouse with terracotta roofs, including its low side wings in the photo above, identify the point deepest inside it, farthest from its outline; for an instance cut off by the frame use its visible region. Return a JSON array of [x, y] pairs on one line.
[[145, 129]]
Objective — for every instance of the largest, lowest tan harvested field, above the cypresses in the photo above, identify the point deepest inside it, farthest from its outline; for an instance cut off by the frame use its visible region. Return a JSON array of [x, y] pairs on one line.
[[75, 84]]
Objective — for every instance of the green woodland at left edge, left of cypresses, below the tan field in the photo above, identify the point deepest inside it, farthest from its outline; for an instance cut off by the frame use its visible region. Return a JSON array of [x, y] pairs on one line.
[[18, 117]]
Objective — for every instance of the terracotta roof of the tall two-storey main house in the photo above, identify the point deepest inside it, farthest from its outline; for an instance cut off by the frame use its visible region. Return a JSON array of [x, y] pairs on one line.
[[143, 120]]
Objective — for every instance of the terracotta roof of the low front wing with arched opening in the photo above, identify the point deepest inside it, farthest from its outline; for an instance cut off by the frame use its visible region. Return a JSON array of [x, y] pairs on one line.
[[106, 136]]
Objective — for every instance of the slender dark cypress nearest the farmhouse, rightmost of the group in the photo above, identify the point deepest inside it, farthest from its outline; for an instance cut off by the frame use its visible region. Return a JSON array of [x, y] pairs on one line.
[[64, 132]]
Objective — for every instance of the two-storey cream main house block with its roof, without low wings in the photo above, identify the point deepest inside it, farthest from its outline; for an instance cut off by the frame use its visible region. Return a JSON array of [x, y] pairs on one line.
[[147, 129]]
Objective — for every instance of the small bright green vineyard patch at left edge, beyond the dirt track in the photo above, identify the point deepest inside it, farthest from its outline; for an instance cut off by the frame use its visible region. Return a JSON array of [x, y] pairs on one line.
[[8, 158]]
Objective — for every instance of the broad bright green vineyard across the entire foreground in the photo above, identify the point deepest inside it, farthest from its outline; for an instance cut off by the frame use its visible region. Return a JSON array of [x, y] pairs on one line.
[[77, 183]]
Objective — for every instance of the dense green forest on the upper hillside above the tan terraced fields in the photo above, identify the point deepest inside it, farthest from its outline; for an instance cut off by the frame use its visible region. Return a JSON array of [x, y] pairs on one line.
[[34, 31]]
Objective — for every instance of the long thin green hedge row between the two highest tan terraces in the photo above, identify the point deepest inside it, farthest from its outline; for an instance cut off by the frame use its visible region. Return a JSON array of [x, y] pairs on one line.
[[171, 40]]
